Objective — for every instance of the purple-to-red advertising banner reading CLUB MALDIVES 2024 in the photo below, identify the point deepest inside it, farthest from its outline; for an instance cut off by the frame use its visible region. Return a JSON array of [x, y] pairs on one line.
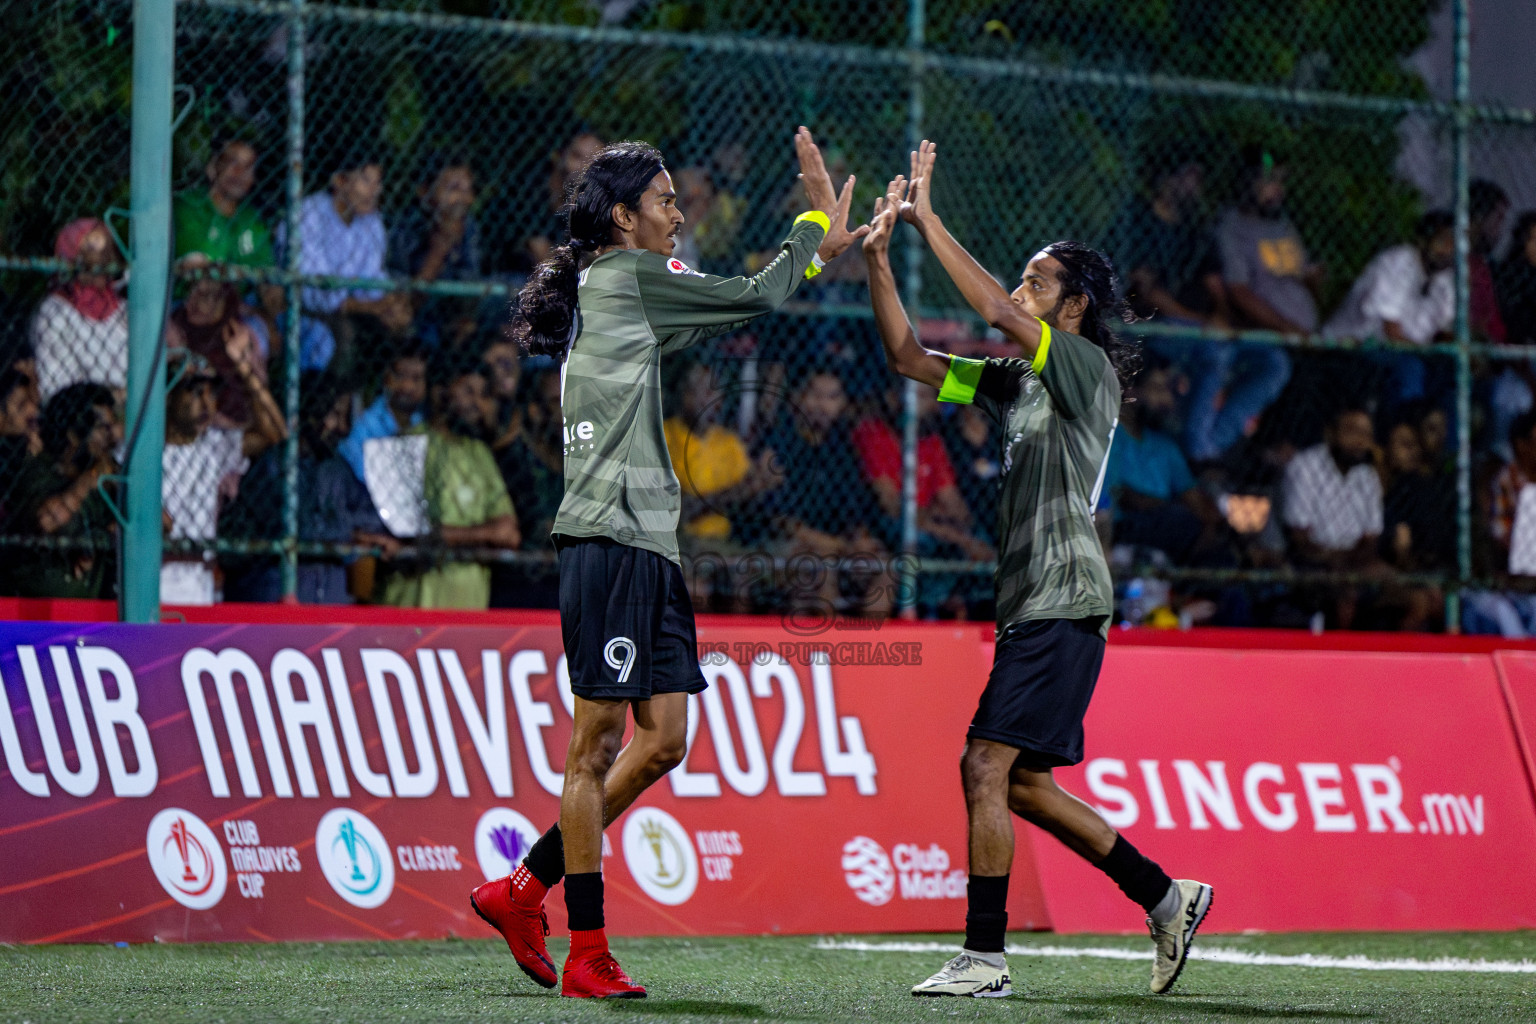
[[234, 782]]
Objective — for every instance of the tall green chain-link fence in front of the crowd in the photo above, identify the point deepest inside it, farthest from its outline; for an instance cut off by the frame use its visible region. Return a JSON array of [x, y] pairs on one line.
[[1336, 283]]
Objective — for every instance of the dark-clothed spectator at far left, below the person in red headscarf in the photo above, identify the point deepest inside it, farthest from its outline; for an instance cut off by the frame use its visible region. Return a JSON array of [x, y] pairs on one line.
[[58, 497]]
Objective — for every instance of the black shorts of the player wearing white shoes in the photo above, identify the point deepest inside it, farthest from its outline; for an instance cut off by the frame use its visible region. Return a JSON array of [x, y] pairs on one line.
[[1044, 676]]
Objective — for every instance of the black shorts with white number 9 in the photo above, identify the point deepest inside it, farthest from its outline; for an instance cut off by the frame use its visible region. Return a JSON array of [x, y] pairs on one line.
[[626, 621]]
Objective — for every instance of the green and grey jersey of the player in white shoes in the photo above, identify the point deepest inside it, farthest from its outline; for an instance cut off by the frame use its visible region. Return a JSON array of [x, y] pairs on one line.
[[1058, 414]]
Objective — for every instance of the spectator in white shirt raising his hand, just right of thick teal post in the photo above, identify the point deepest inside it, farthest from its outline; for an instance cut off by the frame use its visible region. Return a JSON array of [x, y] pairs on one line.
[[202, 463]]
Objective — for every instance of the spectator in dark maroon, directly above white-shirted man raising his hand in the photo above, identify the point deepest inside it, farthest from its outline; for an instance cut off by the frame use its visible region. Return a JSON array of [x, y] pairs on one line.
[[211, 322]]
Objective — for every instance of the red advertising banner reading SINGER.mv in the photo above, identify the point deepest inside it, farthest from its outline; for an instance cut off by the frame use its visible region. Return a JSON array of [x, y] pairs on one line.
[[1313, 790]]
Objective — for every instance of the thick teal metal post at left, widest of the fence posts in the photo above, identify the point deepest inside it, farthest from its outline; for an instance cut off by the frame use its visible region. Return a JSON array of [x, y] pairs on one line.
[[150, 162]]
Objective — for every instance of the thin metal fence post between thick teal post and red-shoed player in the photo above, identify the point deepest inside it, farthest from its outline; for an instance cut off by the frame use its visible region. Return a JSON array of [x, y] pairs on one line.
[[294, 320]]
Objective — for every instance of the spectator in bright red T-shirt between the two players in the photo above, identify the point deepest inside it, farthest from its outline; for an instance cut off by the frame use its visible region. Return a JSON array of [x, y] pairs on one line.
[[942, 514]]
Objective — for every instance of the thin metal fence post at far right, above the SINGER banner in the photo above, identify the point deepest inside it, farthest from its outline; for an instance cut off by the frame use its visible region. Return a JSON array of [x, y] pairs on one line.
[[1462, 171]]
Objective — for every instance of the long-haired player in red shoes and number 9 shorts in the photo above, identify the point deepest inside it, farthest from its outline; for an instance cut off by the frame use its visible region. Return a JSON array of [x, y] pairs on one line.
[[611, 305]]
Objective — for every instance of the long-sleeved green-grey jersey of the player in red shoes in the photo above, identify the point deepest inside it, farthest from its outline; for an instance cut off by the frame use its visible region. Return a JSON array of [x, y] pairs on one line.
[[634, 308]]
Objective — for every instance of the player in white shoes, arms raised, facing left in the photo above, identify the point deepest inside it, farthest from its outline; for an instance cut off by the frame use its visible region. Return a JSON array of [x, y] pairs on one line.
[[1058, 408]]
